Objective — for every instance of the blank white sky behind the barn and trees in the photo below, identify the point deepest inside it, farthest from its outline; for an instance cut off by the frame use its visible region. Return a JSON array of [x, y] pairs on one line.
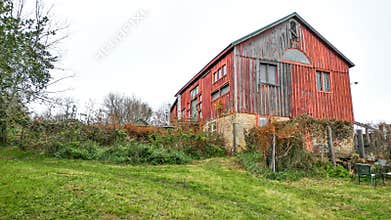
[[178, 38]]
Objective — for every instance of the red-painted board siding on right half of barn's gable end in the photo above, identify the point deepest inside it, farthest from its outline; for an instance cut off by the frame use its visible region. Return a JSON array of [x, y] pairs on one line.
[[336, 104]]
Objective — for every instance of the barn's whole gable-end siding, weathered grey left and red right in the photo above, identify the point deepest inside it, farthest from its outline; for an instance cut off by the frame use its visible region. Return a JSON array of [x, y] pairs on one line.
[[296, 91]]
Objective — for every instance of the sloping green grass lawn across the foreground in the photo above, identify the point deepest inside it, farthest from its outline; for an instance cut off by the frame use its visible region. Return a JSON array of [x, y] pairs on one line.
[[33, 186]]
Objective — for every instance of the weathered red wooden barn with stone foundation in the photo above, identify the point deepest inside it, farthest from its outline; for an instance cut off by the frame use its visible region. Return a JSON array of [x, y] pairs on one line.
[[283, 70]]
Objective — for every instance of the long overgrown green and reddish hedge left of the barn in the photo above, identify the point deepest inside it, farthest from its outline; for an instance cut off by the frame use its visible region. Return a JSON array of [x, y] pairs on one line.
[[120, 144]]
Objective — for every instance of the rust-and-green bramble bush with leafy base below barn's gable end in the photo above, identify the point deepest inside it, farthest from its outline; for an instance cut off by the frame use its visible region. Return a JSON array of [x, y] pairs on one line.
[[293, 160]]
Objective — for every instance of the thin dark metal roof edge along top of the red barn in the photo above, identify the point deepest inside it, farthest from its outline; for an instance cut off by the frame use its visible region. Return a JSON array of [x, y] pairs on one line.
[[259, 31]]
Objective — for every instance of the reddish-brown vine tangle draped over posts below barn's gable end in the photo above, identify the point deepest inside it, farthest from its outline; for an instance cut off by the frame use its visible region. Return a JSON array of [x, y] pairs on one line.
[[292, 137]]
